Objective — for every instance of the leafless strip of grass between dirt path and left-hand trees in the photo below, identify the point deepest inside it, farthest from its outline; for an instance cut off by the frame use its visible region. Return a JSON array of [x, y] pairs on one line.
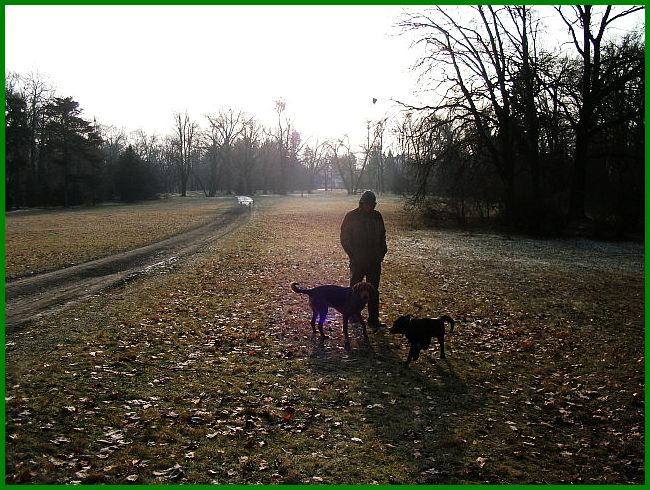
[[42, 240]]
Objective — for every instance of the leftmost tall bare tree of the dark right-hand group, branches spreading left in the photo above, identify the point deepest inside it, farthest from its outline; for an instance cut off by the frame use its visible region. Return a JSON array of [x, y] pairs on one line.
[[471, 65]]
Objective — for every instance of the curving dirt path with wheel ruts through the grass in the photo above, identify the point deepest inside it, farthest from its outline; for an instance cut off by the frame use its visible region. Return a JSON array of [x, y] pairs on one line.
[[28, 298]]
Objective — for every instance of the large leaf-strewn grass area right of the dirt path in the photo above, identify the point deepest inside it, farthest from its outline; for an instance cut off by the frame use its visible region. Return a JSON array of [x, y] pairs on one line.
[[209, 373]]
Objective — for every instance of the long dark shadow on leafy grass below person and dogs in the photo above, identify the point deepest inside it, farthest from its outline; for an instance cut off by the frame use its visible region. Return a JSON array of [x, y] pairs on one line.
[[413, 409]]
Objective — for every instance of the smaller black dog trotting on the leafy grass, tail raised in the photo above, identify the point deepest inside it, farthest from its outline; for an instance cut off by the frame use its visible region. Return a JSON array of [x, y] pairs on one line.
[[419, 332]]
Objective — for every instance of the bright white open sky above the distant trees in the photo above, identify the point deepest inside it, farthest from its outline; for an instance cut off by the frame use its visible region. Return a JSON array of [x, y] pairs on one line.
[[134, 66]]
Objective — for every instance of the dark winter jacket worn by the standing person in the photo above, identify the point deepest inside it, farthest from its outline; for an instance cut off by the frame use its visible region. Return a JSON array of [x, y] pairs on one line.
[[363, 236]]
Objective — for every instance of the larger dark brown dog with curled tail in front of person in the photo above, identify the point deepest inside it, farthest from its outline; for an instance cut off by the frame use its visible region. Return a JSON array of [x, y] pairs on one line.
[[349, 301]]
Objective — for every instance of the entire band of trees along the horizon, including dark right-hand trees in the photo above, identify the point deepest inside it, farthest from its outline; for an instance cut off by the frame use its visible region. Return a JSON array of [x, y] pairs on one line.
[[537, 138]]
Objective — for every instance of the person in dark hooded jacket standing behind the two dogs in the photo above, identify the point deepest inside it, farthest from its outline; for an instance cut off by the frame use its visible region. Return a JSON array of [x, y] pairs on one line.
[[363, 237]]
